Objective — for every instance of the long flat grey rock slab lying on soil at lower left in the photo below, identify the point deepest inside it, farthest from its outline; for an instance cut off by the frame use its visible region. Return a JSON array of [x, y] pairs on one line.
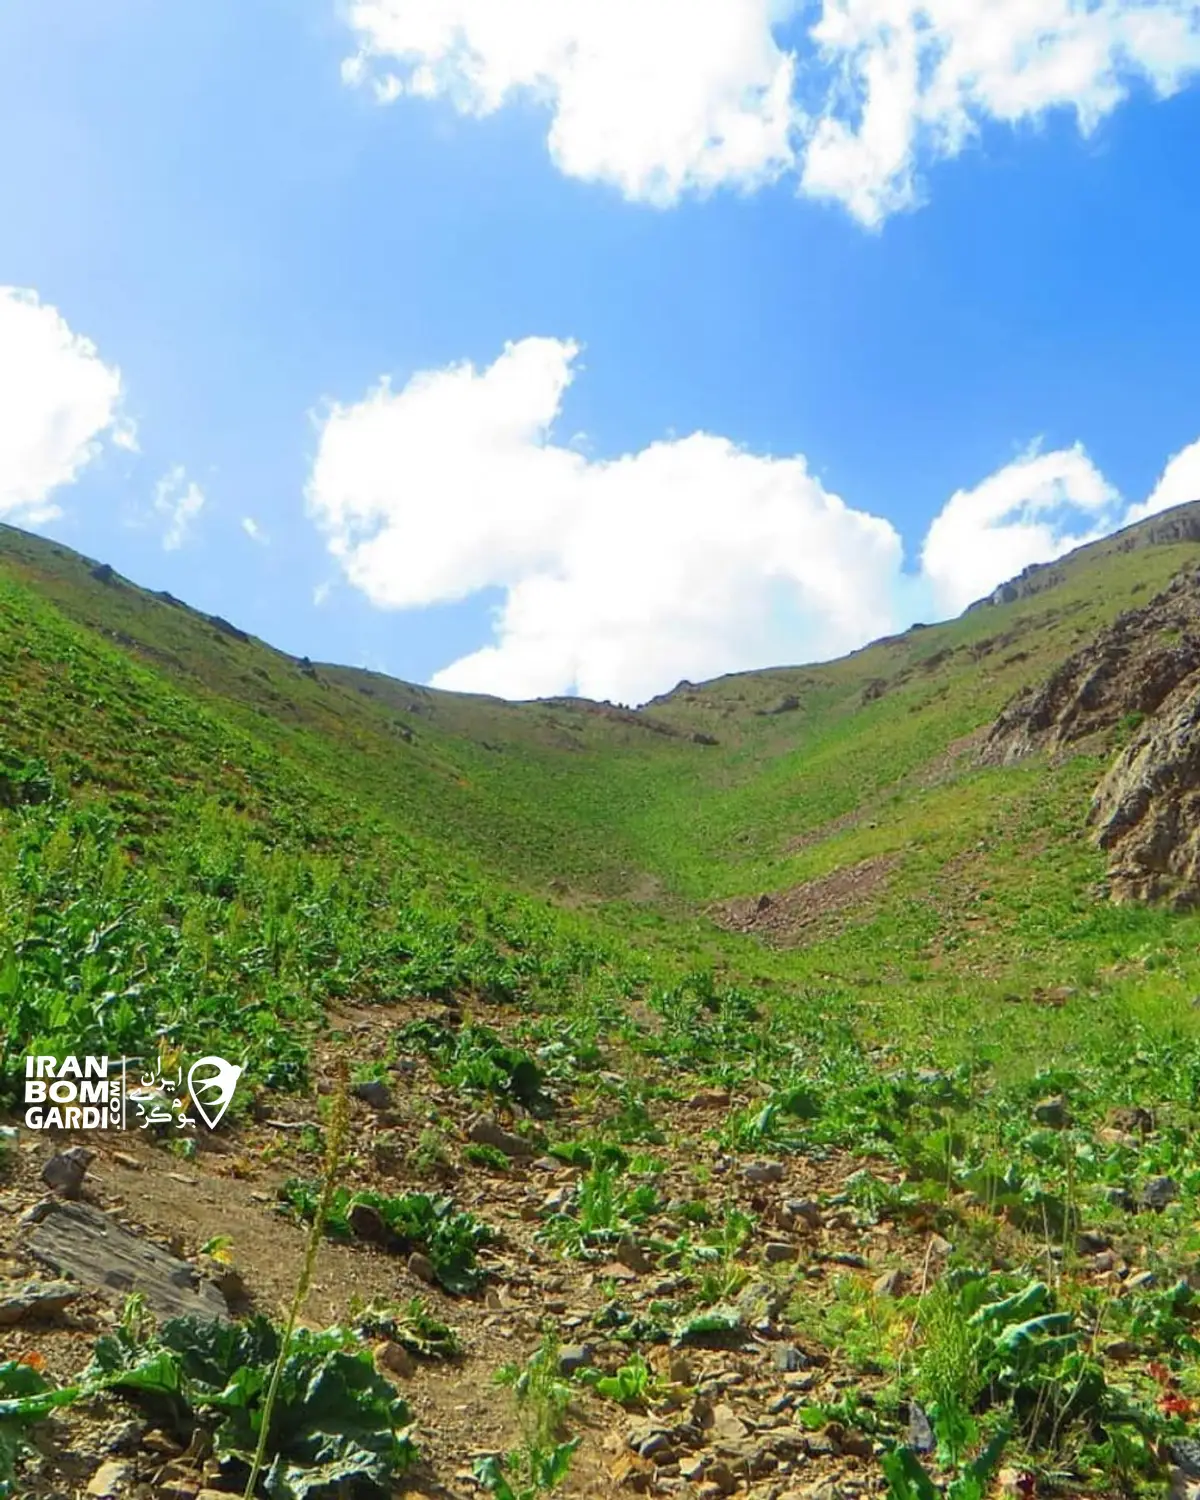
[[82, 1243]]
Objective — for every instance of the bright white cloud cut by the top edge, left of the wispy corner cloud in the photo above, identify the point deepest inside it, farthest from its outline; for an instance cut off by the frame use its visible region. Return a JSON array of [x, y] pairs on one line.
[[658, 100]]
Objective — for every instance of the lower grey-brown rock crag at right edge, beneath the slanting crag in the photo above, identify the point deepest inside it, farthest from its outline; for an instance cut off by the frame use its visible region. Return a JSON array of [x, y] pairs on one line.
[[1147, 811]]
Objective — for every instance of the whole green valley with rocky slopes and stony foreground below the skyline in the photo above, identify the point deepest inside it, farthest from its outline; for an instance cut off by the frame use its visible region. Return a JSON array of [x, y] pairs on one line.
[[784, 1090]]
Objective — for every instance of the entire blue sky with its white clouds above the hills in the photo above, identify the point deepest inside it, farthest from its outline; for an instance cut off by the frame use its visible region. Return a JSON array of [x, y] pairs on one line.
[[809, 332]]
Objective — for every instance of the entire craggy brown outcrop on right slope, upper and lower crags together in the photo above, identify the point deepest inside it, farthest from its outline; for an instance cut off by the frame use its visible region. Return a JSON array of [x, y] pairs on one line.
[[1142, 673]]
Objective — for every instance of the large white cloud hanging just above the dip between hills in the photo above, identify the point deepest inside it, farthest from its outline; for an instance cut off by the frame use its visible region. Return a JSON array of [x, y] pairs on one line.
[[686, 559]]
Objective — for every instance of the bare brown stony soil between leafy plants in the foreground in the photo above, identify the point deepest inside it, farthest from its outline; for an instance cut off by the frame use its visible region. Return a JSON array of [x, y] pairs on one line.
[[728, 1418]]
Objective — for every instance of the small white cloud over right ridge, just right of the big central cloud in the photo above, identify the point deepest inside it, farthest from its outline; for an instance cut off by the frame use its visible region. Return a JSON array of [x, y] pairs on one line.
[[1033, 511]]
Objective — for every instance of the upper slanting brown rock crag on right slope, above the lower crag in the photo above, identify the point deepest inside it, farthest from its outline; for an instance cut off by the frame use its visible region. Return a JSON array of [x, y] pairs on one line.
[[1132, 668]]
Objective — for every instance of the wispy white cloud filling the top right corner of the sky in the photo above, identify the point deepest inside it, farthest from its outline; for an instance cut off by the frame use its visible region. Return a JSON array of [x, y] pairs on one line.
[[914, 80]]
